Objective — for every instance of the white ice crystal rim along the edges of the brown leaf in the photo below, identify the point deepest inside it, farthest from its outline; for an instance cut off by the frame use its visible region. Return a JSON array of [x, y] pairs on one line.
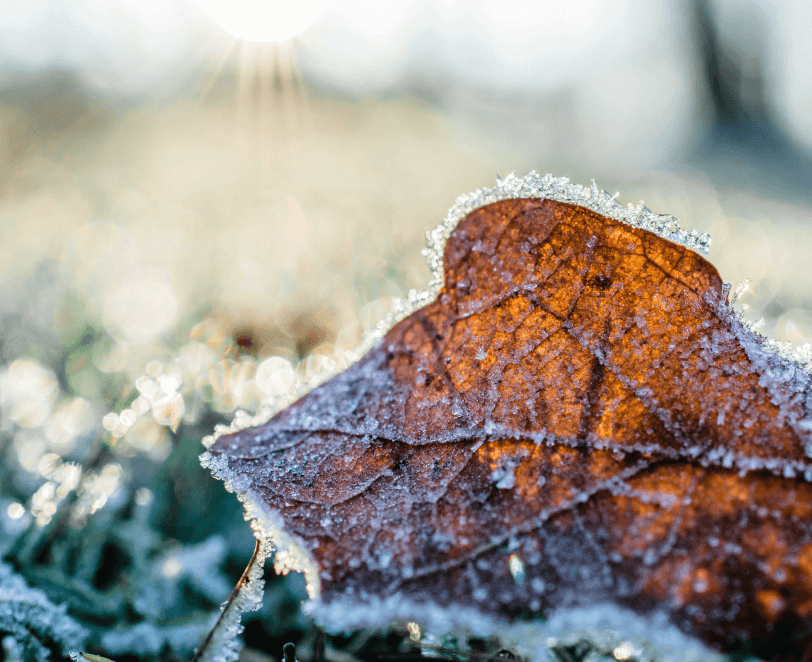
[[600, 624]]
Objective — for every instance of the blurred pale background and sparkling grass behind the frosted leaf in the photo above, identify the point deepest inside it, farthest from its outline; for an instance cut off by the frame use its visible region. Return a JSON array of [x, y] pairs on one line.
[[205, 204]]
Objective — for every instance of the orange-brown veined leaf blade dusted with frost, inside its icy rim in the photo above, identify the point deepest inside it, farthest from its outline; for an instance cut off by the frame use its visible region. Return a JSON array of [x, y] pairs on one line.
[[577, 419]]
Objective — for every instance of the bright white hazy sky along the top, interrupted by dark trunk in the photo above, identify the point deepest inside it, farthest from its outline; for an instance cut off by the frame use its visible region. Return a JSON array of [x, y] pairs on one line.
[[580, 46]]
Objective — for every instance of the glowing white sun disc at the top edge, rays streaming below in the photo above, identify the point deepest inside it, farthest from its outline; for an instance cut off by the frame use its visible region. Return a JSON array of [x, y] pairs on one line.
[[264, 21]]
